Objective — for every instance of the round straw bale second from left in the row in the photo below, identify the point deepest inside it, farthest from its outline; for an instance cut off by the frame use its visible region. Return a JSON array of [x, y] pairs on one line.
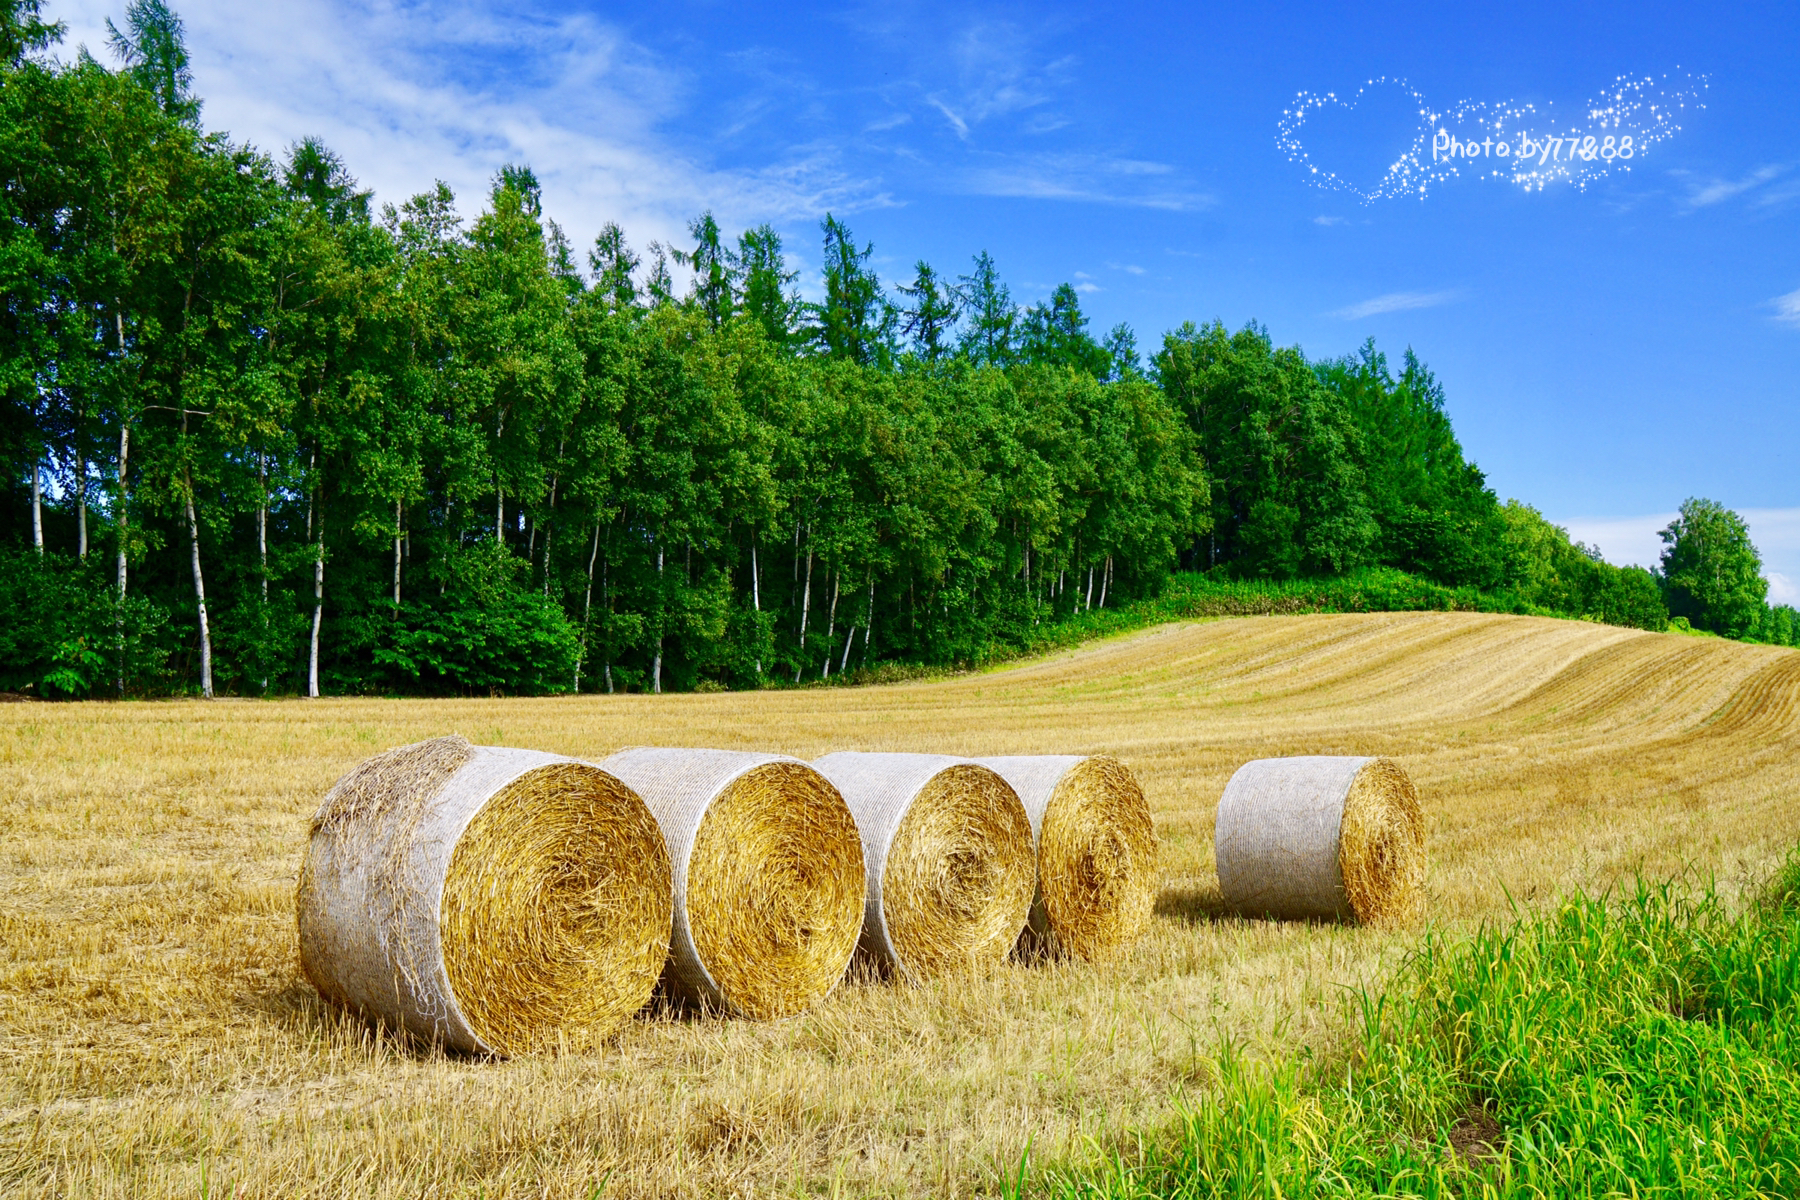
[[768, 875]]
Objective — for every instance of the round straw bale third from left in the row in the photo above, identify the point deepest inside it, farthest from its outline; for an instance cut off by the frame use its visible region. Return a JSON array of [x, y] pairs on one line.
[[949, 859]]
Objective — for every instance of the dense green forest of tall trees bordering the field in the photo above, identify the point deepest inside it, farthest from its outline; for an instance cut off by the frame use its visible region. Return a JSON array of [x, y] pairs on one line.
[[265, 438]]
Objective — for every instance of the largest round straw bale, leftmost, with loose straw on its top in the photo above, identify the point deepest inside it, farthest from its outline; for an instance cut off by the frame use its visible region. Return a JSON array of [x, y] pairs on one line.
[[490, 900]]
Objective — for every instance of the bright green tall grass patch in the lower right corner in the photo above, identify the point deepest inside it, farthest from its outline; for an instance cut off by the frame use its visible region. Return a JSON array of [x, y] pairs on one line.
[[1635, 1046]]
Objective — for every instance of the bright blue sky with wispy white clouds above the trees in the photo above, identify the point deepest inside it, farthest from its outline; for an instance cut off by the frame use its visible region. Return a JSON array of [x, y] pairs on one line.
[[1606, 350]]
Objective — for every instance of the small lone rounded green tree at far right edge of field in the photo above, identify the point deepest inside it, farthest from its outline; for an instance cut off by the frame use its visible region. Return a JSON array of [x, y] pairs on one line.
[[1713, 575]]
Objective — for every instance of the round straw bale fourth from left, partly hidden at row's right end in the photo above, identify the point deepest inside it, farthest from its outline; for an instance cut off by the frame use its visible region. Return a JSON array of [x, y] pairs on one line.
[[1095, 850]]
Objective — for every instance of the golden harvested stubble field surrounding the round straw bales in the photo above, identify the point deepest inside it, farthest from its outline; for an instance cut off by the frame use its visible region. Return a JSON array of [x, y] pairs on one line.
[[159, 1041]]
